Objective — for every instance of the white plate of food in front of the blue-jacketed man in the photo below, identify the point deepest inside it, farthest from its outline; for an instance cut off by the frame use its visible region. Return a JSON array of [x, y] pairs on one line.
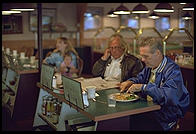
[[125, 94]]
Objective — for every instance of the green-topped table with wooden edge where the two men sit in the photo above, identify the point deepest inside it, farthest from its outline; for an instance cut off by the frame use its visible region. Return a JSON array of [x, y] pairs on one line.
[[99, 111]]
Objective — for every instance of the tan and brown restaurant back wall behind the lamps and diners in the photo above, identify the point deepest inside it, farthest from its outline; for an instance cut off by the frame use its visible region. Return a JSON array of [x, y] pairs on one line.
[[66, 14]]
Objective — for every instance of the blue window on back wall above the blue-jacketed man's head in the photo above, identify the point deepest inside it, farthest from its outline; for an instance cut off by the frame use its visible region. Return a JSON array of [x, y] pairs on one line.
[[163, 23]]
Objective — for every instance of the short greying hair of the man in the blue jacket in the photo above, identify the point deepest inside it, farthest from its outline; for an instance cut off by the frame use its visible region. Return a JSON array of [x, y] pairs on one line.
[[153, 43]]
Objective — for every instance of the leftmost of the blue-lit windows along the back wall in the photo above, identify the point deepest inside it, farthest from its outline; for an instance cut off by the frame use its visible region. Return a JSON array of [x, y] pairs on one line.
[[93, 18]]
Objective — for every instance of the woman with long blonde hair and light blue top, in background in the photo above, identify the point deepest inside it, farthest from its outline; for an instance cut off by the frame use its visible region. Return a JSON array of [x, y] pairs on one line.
[[63, 46]]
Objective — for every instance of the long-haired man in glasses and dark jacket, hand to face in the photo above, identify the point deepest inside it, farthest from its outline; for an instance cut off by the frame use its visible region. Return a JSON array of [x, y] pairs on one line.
[[116, 64]]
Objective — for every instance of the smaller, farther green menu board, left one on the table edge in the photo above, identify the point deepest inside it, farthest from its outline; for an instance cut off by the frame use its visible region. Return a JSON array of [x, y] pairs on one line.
[[47, 72]]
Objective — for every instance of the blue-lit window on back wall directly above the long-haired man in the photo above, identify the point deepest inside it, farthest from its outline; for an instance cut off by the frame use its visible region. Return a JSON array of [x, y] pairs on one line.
[[130, 21]]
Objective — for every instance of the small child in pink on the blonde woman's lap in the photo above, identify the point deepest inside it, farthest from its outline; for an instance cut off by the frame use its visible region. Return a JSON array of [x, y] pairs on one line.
[[66, 67]]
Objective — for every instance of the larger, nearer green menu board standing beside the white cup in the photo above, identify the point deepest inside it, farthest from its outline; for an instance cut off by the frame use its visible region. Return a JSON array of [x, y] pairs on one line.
[[73, 91]]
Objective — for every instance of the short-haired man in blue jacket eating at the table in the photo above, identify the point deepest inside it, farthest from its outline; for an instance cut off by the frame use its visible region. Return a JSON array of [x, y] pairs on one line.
[[161, 80]]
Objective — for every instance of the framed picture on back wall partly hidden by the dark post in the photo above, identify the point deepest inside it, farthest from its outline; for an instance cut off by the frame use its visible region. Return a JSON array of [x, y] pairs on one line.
[[48, 18]]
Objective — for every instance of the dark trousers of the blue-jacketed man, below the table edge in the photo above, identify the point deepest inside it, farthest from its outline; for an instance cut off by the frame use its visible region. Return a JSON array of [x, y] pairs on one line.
[[144, 122]]
